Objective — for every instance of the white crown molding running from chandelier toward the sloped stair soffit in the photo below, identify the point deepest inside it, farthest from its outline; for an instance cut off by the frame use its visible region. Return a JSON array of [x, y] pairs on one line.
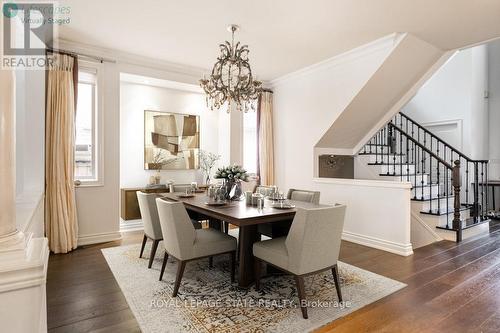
[[342, 59]]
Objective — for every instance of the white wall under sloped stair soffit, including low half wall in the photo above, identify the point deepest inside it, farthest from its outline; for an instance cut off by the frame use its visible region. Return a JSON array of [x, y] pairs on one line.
[[305, 106]]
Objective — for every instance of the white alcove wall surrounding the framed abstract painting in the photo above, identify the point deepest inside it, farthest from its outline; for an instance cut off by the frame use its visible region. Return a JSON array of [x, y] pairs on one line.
[[134, 99]]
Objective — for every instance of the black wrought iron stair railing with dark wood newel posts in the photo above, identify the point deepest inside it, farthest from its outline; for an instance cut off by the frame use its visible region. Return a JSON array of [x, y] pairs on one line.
[[446, 179]]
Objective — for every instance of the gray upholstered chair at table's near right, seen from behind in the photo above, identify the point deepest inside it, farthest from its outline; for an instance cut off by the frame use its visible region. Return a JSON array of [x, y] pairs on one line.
[[312, 246]]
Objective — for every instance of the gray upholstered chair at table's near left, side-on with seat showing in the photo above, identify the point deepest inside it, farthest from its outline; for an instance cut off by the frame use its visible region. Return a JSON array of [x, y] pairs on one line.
[[183, 242]]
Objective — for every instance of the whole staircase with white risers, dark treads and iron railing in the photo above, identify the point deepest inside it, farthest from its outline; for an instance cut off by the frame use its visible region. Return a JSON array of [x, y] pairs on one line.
[[449, 196]]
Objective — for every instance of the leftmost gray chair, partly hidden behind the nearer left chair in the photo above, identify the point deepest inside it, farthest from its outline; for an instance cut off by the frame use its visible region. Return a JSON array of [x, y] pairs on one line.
[[151, 222]]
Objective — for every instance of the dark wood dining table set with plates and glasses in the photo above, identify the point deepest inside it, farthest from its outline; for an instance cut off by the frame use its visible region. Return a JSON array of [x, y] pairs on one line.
[[246, 218]]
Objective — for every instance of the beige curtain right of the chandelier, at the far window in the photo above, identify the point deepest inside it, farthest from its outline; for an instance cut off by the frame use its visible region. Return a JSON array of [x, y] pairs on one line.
[[266, 139]]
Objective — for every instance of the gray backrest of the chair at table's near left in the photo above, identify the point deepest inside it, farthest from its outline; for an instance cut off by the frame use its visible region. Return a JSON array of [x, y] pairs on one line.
[[178, 231]]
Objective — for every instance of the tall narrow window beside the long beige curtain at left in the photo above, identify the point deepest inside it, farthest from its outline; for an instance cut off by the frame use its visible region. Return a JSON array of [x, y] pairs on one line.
[[86, 127]]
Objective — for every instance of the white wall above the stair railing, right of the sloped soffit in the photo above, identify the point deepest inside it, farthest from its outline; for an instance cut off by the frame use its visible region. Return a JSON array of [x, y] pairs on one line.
[[456, 94]]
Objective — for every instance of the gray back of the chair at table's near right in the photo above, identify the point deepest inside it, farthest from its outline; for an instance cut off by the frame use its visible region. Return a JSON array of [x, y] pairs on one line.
[[313, 242]]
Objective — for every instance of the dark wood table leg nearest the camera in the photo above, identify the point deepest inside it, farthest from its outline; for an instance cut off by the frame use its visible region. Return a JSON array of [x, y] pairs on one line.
[[247, 236]]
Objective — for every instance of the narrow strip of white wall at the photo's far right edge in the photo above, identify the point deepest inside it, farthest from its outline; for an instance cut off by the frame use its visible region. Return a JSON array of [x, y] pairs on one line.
[[494, 108]]
